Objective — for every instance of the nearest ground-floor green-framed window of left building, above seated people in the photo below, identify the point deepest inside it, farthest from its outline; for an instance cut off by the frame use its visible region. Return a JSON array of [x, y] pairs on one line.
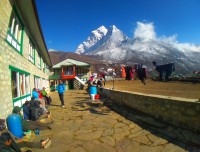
[[20, 83]]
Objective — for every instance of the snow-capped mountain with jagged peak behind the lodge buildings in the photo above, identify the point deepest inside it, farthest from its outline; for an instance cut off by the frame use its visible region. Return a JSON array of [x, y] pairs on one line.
[[112, 45]]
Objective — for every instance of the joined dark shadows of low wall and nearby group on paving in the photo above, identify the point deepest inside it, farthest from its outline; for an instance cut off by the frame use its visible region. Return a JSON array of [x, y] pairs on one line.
[[187, 139]]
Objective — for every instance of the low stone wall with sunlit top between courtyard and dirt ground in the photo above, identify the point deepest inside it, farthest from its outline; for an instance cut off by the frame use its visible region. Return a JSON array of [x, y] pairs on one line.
[[178, 111]]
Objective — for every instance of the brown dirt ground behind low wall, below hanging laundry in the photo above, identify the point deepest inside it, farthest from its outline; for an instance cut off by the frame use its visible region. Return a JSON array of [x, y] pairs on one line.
[[172, 88]]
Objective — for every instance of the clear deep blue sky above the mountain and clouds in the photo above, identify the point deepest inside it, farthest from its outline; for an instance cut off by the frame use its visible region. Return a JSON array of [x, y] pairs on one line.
[[67, 23]]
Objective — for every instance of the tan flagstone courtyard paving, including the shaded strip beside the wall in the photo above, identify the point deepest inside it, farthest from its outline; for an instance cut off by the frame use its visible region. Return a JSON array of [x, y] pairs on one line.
[[102, 126]]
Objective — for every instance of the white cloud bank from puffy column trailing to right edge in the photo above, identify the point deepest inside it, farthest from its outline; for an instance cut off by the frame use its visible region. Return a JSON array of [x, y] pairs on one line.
[[145, 32]]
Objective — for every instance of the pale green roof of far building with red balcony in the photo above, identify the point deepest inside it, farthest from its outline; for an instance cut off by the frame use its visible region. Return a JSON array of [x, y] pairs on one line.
[[69, 62]]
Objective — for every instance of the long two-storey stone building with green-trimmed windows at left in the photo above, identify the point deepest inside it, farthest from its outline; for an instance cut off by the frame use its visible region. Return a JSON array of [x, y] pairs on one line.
[[24, 59]]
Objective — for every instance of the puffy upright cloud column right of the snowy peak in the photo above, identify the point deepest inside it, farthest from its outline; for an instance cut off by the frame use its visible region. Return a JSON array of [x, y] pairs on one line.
[[145, 31]]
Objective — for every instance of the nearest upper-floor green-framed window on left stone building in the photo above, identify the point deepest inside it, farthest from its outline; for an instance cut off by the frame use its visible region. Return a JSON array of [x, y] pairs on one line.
[[14, 35]]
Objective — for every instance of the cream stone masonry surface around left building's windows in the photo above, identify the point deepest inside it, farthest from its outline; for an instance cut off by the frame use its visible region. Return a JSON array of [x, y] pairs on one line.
[[10, 57]]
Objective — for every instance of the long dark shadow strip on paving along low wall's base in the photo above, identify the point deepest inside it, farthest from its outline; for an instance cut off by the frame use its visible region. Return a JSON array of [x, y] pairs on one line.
[[187, 139]]
